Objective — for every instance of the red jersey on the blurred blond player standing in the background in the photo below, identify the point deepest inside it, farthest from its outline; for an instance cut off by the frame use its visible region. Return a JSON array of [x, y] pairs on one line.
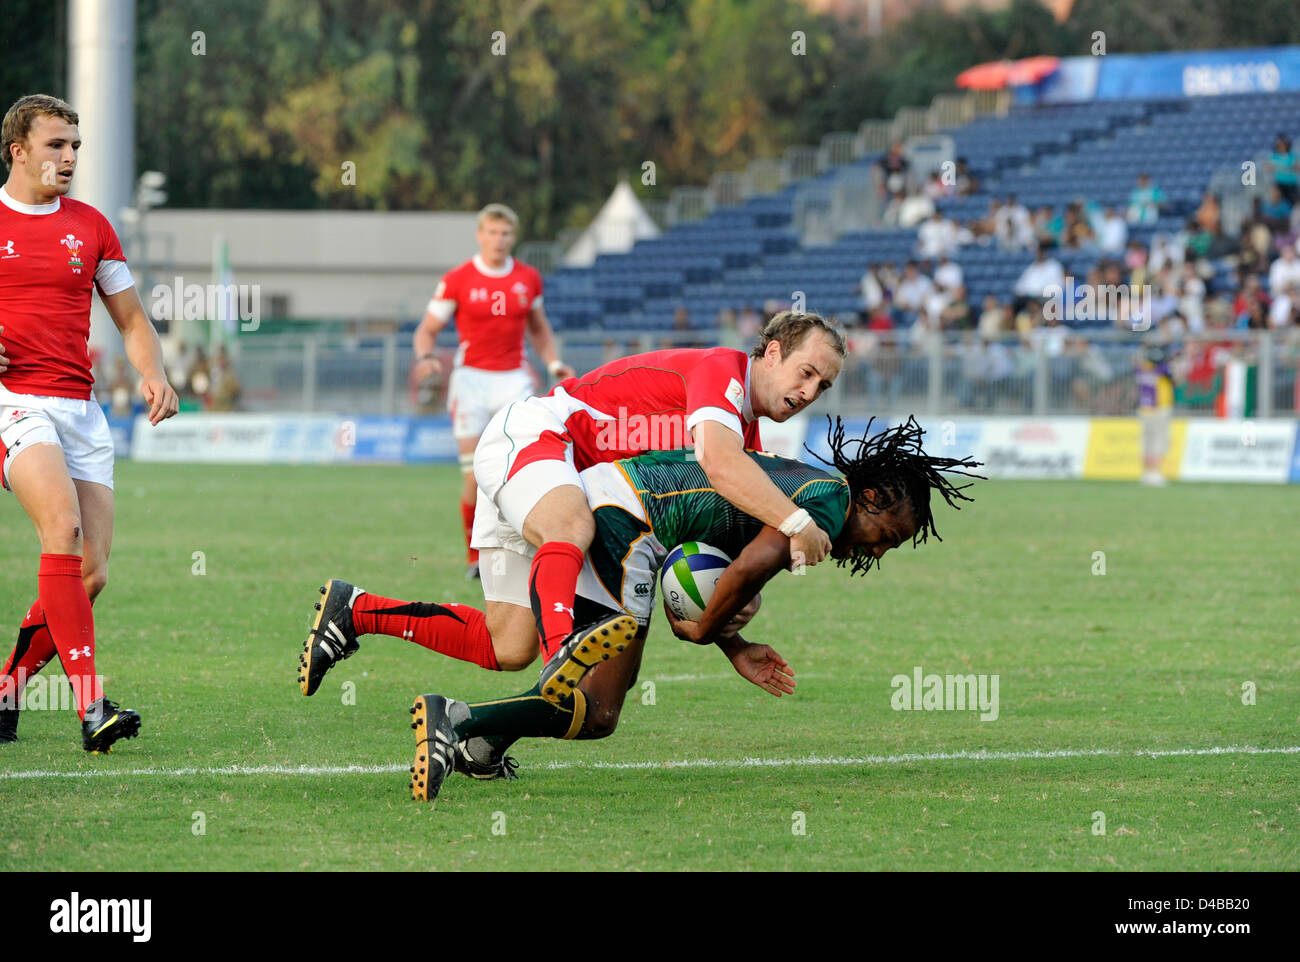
[[492, 309]]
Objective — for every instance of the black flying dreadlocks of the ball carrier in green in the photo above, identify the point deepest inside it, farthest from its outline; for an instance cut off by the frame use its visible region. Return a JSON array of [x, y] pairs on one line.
[[891, 470]]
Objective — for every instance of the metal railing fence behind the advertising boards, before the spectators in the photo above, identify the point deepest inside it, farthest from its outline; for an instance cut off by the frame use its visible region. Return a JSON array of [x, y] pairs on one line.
[[1090, 374]]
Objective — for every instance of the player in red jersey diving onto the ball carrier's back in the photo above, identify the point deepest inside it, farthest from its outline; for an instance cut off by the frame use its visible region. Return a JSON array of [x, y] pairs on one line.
[[528, 465]]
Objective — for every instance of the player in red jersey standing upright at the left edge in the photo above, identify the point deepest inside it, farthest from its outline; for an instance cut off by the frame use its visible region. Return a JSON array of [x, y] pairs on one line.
[[55, 445]]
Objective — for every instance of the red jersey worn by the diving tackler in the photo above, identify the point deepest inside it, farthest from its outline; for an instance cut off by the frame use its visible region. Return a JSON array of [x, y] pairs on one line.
[[655, 401]]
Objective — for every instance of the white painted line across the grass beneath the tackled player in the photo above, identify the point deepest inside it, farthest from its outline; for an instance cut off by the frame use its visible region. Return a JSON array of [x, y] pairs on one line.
[[812, 761]]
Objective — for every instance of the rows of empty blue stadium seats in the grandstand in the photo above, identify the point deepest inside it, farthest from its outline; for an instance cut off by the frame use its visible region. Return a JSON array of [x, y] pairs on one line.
[[751, 253]]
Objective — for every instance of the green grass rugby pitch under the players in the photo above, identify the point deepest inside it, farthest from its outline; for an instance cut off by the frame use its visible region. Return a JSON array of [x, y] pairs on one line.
[[1198, 599]]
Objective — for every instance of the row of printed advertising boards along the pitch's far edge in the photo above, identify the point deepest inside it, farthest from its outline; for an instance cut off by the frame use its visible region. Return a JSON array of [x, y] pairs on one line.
[[1253, 450]]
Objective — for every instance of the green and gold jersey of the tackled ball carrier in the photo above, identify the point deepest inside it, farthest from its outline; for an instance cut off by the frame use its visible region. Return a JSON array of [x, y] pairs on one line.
[[682, 505]]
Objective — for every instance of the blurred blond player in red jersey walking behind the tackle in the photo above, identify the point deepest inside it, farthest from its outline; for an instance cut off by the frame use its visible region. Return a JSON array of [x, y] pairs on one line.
[[495, 300]]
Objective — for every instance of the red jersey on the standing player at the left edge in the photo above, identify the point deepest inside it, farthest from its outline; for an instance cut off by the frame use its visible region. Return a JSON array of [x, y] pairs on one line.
[[47, 272]]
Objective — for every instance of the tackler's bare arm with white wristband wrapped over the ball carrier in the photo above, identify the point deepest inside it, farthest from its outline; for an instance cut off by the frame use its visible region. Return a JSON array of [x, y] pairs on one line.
[[721, 453]]
